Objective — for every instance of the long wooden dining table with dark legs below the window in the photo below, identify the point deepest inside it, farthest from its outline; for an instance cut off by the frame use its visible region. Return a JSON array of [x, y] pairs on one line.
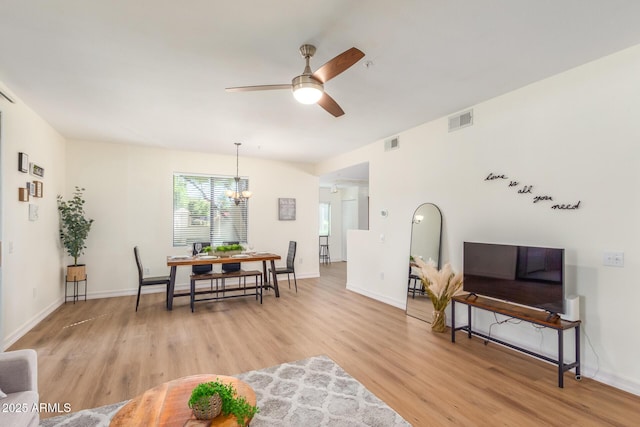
[[177, 261]]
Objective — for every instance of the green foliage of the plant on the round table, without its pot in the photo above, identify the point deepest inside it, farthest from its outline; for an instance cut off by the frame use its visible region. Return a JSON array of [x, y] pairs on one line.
[[231, 402]]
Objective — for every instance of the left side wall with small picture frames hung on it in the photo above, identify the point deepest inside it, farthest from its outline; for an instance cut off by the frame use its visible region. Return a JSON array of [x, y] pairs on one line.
[[31, 284]]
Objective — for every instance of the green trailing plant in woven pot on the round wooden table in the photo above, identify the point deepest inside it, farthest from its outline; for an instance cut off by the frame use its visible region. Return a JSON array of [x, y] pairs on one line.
[[210, 399]]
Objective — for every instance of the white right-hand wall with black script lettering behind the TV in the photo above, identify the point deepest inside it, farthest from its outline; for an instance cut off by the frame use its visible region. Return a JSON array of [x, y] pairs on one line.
[[574, 137]]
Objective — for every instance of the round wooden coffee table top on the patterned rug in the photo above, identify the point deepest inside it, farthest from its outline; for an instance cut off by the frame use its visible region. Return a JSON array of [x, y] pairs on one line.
[[167, 404]]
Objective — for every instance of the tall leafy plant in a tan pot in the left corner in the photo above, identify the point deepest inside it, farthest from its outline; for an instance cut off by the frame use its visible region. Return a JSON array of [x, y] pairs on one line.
[[74, 229]]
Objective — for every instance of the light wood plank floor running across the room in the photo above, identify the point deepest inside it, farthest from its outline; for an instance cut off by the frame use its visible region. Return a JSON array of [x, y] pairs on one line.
[[101, 351]]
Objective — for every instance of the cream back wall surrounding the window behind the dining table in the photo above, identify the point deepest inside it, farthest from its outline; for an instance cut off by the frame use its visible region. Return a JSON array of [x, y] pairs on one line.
[[129, 195]]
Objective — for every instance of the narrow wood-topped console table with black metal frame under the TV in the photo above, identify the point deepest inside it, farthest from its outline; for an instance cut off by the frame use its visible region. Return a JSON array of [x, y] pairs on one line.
[[523, 313]]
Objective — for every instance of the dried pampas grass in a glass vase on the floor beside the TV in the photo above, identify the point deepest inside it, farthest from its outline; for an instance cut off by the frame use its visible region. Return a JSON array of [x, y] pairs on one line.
[[440, 286]]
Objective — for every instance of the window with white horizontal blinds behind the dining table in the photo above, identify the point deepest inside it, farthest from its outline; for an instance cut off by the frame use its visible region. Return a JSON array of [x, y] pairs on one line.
[[203, 213]]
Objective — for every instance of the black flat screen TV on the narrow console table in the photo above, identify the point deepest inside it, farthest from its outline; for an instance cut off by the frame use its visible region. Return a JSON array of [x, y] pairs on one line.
[[525, 275]]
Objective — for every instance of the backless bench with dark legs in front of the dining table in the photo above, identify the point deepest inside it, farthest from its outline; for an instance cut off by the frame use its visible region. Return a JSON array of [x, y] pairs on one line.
[[241, 275]]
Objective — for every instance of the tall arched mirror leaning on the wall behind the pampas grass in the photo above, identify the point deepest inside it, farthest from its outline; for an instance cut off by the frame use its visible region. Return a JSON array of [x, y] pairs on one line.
[[426, 231]]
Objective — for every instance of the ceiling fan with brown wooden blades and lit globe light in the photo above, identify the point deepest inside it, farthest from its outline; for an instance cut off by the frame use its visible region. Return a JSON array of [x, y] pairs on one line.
[[308, 88]]
